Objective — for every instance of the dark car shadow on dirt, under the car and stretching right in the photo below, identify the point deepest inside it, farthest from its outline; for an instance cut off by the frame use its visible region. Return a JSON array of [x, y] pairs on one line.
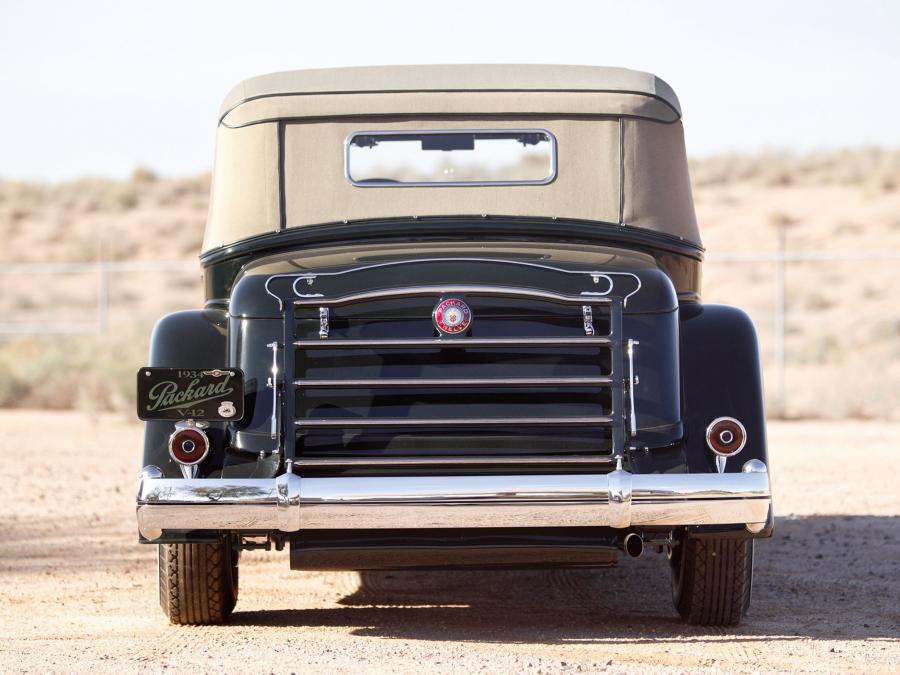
[[836, 576]]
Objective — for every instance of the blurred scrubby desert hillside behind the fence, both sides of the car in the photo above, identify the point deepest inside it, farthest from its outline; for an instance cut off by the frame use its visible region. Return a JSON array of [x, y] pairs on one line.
[[843, 323]]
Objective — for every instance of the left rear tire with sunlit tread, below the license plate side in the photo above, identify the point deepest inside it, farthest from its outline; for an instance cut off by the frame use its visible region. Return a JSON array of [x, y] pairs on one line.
[[198, 583]]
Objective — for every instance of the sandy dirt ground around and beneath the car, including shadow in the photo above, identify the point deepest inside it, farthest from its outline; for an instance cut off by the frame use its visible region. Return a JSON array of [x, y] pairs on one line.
[[77, 592]]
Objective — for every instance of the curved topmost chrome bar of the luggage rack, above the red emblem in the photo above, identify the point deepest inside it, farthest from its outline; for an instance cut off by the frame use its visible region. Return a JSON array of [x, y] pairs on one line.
[[414, 291]]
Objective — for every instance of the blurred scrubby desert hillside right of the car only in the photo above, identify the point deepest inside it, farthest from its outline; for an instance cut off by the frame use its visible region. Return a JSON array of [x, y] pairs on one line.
[[843, 322]]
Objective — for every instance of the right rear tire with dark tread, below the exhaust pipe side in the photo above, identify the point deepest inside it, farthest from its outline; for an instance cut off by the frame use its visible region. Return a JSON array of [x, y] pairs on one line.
[[711, 580]]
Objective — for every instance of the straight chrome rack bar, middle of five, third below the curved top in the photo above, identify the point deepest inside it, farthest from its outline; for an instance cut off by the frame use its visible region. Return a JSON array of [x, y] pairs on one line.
[[422, 382]]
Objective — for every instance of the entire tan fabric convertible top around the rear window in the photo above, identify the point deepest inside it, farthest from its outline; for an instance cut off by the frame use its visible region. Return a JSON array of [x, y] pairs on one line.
[[280, 146]]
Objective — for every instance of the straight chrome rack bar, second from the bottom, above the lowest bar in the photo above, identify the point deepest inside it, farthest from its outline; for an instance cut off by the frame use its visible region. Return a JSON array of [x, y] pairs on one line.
[[361, 422]]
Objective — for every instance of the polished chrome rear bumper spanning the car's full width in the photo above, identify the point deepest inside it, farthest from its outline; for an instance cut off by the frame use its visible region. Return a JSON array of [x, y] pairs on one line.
[[618, 499]]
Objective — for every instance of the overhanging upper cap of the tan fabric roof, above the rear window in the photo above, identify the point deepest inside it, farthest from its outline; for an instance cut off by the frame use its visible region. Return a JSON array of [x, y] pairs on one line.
[[479, 88]]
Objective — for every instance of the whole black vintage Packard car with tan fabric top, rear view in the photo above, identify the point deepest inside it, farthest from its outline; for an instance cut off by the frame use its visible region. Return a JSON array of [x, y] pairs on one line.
[[453, 320]]
